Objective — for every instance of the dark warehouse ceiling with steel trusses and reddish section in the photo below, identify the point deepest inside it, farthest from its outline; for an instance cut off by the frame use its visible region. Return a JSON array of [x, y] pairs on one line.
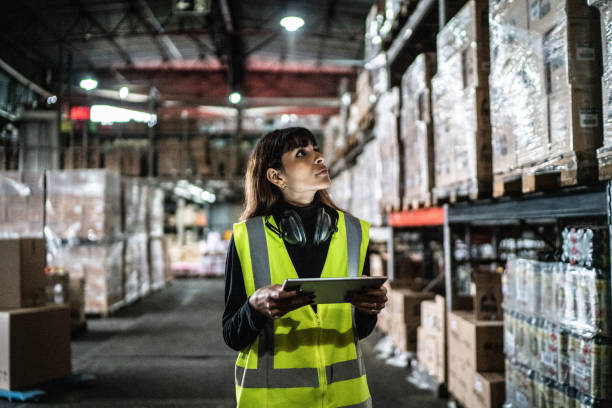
[[190, 59]]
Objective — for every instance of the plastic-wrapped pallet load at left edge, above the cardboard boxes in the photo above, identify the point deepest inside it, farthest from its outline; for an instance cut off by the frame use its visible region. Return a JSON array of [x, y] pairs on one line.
[[21, 204]]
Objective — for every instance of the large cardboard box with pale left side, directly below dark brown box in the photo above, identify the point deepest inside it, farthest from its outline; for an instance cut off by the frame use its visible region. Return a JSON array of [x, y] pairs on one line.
[[475, 345]]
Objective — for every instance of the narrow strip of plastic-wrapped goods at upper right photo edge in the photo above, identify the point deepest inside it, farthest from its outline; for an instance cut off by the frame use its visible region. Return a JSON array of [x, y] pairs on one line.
[[604, 154]]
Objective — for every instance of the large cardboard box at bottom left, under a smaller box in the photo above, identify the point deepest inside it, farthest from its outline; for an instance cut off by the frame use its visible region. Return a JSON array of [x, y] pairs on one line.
[[34, 346]]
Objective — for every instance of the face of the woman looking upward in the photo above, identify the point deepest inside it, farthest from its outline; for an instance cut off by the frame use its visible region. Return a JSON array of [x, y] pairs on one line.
[[304, 170]]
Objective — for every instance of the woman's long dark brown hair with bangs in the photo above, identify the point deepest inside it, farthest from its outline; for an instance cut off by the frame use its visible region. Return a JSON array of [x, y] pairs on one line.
[[260, 195]]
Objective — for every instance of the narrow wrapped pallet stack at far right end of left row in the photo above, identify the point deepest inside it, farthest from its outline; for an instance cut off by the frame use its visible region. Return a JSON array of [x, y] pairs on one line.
[[155, 229]]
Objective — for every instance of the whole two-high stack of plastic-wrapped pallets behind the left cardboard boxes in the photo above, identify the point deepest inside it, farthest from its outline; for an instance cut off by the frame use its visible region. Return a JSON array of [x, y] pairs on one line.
[[83, 220]]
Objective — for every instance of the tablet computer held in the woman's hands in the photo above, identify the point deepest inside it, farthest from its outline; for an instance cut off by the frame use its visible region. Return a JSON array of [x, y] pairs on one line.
[[333, 290]]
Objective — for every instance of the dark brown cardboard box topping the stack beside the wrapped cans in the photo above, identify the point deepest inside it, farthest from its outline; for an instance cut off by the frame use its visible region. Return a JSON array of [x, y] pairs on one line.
[[488, 299]]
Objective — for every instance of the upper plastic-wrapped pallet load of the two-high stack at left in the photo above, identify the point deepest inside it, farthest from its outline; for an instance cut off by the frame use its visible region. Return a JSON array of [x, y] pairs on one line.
[[83, 204]]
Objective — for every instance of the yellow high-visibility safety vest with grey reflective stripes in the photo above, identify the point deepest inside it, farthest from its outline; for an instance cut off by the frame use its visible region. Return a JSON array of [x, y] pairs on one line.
[[304, 359]]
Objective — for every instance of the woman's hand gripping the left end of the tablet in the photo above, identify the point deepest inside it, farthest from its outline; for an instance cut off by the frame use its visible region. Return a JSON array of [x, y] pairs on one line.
[[273, 302]]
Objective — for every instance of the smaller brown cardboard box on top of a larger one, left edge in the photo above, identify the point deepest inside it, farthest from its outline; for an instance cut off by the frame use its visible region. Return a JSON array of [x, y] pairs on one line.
[[22, 273]]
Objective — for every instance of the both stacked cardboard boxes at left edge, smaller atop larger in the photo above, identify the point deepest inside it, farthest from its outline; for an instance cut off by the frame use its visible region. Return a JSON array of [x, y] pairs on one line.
[[34, 337]]
